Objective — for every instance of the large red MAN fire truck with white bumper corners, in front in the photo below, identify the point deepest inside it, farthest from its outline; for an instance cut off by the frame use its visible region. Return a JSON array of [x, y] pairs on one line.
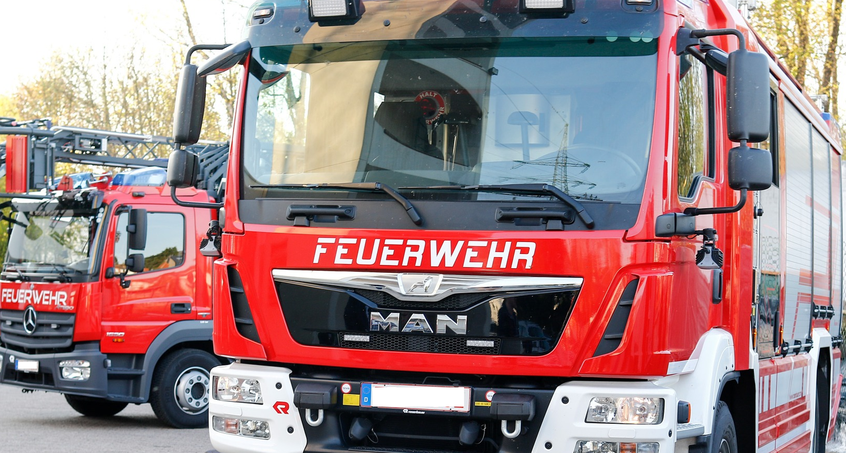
[[520, 225]]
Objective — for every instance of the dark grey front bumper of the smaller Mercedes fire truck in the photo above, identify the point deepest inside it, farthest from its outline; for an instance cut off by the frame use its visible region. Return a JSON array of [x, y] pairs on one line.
[[49, 376]]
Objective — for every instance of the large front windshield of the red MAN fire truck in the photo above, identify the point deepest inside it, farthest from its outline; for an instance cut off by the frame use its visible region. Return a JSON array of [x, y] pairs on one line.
[[573, 113]]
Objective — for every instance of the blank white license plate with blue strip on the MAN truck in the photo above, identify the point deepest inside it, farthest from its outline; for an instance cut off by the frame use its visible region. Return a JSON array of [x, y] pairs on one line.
[[415, 397]]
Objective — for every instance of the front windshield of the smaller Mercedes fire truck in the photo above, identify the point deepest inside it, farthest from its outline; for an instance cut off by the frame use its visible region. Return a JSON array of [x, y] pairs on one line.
[[58, 242]]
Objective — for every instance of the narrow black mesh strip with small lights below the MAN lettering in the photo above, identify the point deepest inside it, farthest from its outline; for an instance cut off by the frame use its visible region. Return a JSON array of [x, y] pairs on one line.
[[422, 343]]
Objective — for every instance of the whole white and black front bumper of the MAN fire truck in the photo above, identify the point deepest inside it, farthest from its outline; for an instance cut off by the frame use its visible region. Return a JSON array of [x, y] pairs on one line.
[[557, 424]]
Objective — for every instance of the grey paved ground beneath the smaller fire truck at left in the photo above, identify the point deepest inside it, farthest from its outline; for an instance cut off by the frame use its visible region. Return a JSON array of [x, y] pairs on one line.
[[43, 422]]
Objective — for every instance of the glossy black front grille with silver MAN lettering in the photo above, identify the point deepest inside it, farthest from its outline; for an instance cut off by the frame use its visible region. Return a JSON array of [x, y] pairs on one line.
[[517, 322]]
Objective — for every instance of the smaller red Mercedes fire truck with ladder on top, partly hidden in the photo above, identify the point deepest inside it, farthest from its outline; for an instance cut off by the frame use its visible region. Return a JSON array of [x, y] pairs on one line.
[[104, 295]]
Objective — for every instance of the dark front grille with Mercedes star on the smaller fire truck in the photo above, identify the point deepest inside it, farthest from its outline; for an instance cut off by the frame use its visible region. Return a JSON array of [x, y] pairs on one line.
[[53, 332]]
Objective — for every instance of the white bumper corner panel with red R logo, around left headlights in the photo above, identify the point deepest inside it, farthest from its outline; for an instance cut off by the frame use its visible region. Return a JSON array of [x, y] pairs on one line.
[[286, 428]]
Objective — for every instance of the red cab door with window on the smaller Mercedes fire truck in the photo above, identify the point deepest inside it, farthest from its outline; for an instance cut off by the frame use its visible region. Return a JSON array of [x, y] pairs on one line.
[[140, 305]]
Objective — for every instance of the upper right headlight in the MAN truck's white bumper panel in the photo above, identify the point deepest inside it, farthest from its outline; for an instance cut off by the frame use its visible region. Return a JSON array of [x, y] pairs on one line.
[[631, 410]]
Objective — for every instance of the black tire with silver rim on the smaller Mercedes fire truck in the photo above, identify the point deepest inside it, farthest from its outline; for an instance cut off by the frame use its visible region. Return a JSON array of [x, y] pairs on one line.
[[181, 388]]
